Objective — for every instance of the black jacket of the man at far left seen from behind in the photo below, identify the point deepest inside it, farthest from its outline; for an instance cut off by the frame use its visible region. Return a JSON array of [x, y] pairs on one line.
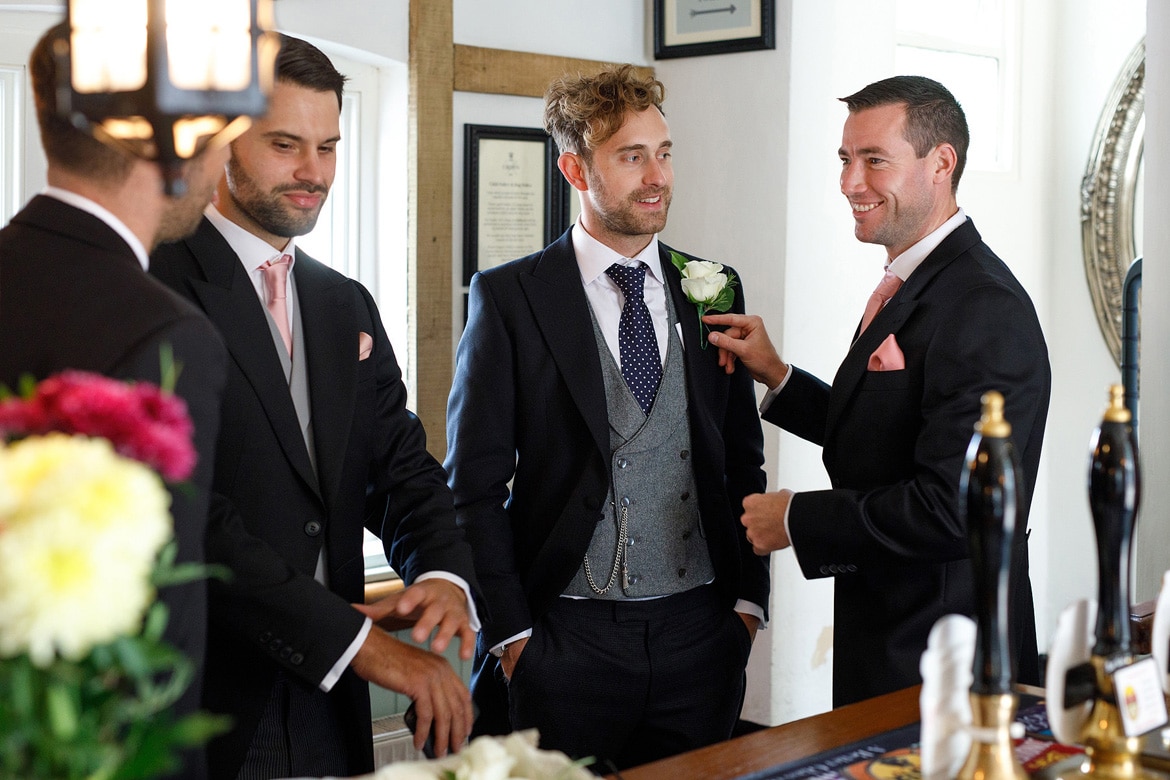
[[73, 295]]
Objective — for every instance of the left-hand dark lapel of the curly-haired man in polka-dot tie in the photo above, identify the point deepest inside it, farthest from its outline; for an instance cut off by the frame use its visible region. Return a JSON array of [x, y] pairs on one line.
[[561, 309]]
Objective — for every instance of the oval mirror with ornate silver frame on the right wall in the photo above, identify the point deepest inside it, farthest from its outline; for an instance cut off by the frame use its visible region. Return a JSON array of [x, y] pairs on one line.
[[1111, 206]]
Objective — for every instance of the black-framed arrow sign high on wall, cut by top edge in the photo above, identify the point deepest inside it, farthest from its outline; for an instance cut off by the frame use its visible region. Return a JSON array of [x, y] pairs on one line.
[[689, 29]]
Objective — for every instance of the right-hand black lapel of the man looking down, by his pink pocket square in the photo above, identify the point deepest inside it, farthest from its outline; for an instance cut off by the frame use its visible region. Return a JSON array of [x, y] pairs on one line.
[[328, 325]]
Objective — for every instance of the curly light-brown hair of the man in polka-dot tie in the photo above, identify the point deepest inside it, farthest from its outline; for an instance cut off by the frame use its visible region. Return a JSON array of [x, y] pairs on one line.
[[582, 113]]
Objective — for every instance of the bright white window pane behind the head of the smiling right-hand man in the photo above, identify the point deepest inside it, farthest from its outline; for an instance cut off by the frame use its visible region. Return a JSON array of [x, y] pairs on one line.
[[975, 84]]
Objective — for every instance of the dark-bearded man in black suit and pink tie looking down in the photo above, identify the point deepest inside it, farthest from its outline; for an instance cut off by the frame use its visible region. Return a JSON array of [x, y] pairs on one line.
[[316, 444]]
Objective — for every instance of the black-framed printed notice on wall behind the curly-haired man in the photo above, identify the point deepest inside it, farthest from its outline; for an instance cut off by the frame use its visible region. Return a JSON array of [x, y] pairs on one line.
[[515, 201]]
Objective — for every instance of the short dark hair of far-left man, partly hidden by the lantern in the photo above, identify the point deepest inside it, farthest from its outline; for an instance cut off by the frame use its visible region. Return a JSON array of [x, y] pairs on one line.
[[66, 146]]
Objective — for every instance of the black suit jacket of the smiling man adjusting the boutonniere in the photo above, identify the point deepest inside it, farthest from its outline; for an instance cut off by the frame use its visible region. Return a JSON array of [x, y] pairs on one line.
[[894, 447]]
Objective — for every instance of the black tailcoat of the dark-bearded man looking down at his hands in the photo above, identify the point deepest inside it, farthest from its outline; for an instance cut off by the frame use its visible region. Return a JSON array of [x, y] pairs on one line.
[[271, 515]]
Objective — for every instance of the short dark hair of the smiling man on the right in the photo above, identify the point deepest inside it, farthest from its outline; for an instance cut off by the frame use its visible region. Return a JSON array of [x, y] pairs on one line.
[[933, 115]]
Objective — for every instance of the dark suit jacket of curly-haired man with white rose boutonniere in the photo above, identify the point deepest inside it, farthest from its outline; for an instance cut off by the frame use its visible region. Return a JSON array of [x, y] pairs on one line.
[[528, 406]]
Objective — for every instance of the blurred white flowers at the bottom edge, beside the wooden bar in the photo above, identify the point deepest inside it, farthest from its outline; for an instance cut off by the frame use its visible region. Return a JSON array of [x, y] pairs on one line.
[[493, 758]]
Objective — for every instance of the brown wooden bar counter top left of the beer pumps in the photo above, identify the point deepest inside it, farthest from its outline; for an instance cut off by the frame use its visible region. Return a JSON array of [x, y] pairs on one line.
[[788, 743]]
